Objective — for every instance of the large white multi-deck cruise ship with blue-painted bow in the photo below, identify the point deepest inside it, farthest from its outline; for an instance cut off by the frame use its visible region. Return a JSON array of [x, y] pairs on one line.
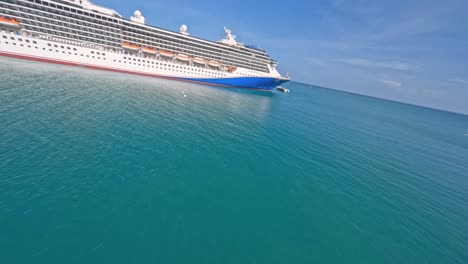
[[81, 33]]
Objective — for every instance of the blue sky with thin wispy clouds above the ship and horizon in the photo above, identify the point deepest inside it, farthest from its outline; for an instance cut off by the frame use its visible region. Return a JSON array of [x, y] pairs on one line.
[[410, 51]]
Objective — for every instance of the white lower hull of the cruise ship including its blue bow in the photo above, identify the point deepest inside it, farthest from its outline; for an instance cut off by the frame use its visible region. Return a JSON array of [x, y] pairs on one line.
[[61, 51]]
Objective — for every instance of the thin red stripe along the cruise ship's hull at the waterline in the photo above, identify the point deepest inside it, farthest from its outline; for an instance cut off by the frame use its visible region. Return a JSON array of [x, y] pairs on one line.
[[89, 66]]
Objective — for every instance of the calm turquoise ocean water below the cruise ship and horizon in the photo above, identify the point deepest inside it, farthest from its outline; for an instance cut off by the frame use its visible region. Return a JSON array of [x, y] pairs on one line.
[[97, 167]]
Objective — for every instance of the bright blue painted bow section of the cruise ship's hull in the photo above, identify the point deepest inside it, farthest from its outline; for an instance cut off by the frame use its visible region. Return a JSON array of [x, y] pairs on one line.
[[258, 83]]
